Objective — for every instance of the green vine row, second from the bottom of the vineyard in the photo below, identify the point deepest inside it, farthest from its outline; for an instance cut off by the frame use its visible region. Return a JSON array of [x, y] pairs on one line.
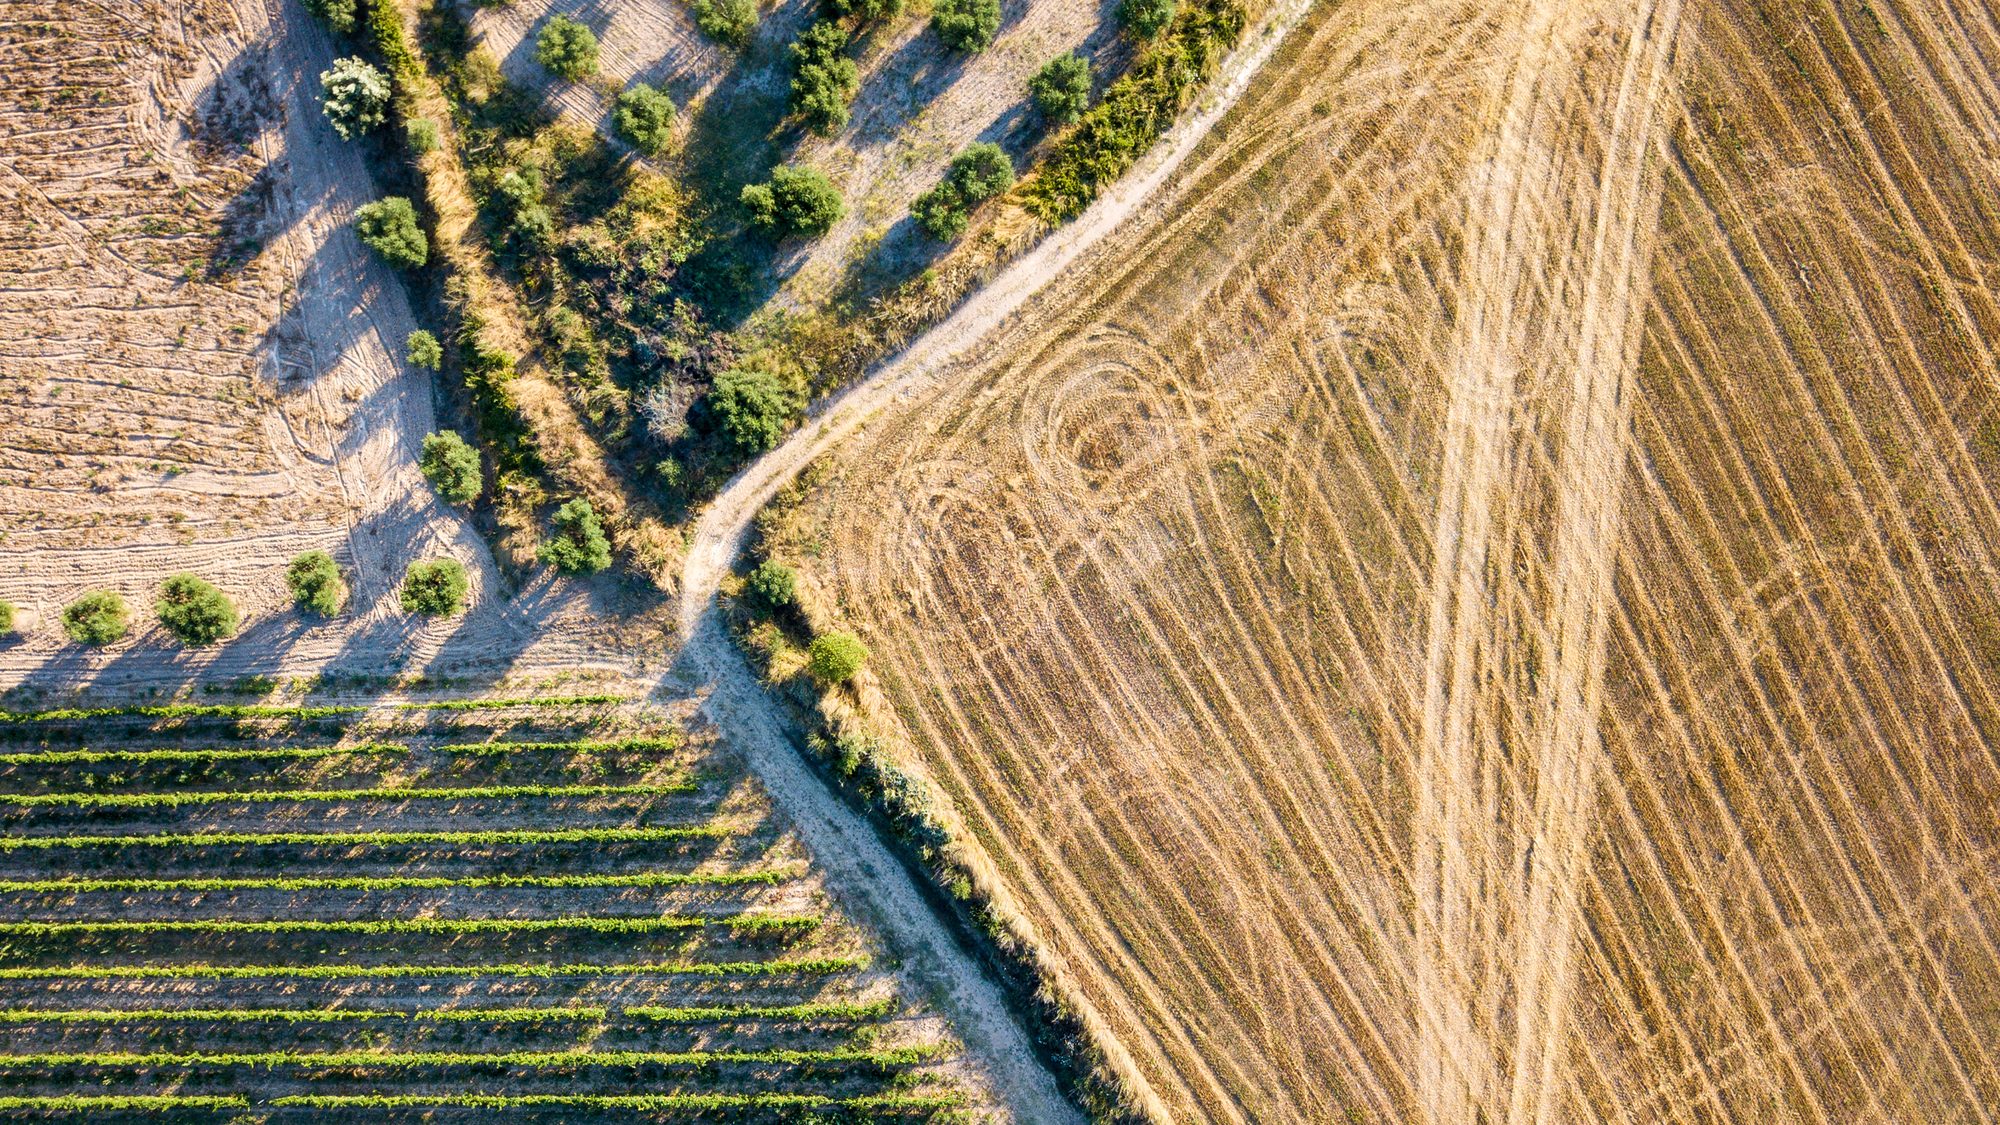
[[405, 1060]]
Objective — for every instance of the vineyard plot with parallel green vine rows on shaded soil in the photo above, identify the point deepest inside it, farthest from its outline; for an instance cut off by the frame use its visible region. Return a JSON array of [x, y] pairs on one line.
[[539, 910]]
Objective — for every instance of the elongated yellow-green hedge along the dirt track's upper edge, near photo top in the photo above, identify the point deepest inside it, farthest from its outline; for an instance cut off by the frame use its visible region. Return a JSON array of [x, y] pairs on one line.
[[1135, 111]]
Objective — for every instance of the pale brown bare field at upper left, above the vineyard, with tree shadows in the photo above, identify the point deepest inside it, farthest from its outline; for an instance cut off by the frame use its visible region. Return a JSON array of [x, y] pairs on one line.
[[201, 367]]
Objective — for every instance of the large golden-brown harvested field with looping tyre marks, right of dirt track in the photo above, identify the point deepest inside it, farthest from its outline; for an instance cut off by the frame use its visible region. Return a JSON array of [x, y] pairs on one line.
[[1483, 608]]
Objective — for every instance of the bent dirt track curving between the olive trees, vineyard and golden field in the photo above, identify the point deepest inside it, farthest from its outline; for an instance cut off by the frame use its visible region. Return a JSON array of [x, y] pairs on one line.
[[841, 840]]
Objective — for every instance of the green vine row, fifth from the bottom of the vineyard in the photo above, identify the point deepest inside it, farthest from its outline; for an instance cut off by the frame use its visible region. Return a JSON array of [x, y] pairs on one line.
[[595, 924]]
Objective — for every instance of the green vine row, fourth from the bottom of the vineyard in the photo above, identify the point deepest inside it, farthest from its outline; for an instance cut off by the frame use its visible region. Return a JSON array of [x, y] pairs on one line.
[[805, 966]]
